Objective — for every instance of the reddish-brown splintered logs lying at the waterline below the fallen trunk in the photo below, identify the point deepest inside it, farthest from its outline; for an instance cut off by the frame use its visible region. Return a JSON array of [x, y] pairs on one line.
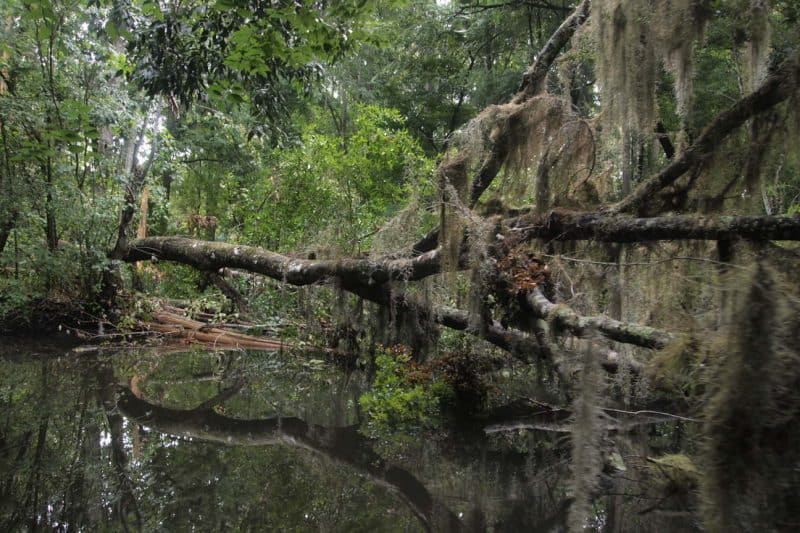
[[192, 330]]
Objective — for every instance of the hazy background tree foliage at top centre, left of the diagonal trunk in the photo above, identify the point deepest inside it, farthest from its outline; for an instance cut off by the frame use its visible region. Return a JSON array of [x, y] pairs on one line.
[[440, 64]]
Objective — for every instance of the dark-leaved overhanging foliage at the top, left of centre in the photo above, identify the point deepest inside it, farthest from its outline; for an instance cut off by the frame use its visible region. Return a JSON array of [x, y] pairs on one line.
[[233, 53]]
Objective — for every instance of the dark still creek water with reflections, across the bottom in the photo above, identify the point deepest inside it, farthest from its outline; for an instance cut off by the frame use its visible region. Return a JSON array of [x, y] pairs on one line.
[[165, 440]]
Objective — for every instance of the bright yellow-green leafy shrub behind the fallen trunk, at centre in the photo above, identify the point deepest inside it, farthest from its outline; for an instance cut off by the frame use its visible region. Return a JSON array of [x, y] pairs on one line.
[[339, 190]]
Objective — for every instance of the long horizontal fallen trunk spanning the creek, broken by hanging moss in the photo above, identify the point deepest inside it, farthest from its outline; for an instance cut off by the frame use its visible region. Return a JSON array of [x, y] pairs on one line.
[[556, 225]]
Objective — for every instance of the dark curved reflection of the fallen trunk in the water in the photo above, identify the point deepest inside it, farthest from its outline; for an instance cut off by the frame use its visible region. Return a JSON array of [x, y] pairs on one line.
[[341, 444]]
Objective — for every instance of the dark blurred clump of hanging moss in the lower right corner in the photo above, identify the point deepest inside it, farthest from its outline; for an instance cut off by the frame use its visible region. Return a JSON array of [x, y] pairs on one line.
[[752, 459]]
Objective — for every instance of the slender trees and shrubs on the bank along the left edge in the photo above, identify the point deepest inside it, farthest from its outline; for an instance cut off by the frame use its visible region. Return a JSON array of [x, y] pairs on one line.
[[60, 180]]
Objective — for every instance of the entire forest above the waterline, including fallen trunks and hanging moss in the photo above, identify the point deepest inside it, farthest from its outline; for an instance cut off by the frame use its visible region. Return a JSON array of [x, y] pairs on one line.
[[610, 183]]
